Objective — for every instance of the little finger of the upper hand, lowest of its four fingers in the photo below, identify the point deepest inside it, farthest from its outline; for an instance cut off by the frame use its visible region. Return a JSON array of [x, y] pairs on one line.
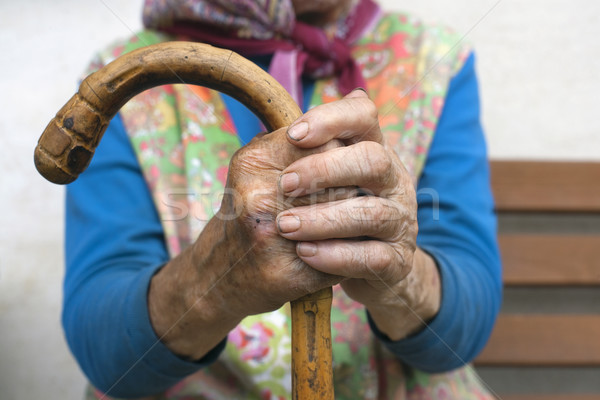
[[369, 259]]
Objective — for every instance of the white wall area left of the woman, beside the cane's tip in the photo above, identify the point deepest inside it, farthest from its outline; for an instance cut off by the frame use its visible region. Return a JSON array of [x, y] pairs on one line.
[[45, 46]]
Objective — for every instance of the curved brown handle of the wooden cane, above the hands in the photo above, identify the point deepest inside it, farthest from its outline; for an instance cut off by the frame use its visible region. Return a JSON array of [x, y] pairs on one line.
[[68, 143]]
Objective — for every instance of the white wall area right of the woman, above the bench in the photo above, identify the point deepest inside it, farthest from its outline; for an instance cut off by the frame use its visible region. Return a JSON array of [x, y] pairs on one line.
[[539, 66]]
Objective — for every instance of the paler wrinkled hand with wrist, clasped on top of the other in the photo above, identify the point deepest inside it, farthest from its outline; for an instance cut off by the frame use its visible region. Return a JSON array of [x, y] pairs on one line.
[[369, 239]]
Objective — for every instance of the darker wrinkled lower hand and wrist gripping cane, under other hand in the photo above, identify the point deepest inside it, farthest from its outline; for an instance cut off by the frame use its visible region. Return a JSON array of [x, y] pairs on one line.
[[239, 265]]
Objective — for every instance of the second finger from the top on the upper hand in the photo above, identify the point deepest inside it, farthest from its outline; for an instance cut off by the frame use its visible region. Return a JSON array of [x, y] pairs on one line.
[[367, 165]]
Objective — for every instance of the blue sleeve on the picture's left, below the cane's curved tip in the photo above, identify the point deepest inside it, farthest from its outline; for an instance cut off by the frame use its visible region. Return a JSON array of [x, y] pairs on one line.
[[114, 245]]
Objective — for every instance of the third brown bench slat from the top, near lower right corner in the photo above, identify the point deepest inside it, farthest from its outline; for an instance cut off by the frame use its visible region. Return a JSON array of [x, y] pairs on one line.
[[543, 340]]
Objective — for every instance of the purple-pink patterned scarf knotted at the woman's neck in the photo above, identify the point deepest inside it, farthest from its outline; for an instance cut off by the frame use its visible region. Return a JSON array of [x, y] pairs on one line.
[[259, 27]]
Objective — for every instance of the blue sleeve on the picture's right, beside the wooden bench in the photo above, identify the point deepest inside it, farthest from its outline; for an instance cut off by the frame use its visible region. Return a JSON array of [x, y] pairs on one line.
[[457, 227]]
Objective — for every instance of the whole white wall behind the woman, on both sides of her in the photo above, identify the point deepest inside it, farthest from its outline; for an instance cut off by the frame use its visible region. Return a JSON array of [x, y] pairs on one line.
[[538, 63]]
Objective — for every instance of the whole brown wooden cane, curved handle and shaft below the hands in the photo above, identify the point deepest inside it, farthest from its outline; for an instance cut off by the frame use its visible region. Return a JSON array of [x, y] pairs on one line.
[[68, 143]]
